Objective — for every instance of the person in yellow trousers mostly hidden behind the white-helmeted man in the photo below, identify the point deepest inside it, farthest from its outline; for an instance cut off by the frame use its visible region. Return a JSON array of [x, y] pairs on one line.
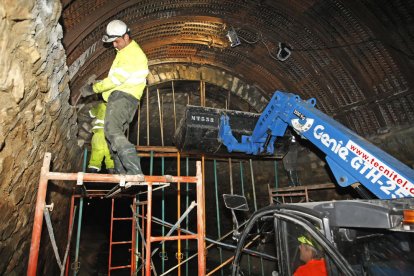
[[100, 151]]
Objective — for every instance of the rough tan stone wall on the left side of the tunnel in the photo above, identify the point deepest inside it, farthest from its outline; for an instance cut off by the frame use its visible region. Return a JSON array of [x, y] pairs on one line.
[[35, 117]]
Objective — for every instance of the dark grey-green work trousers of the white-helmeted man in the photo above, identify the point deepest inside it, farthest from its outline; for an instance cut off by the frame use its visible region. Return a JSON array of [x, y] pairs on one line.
[[120, 111]]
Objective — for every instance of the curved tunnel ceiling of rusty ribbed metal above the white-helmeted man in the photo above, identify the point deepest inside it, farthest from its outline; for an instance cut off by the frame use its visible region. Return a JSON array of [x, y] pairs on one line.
[[354, 57]]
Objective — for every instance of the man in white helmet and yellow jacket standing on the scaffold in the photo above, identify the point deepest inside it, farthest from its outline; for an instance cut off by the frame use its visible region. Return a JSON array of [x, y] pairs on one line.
[[122, 89]]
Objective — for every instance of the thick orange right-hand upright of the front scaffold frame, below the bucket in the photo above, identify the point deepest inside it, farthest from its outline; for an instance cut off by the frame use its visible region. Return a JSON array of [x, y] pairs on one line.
[[200, 222]]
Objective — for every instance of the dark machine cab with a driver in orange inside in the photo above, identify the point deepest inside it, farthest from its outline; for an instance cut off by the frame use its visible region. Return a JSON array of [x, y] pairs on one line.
[[331, 238]]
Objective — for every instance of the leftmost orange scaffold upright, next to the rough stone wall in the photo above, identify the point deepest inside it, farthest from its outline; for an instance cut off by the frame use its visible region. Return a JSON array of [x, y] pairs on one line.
[[38, 219]]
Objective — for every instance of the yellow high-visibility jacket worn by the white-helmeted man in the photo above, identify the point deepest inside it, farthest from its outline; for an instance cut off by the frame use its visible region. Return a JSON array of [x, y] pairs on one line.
[[127, 74]]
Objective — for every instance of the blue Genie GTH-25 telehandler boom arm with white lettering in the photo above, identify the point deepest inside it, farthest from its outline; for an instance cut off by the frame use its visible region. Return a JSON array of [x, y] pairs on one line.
[[351, 158]]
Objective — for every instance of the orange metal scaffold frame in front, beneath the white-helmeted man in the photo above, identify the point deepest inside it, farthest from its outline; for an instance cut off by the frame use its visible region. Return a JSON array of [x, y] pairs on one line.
[[121, 181]]
